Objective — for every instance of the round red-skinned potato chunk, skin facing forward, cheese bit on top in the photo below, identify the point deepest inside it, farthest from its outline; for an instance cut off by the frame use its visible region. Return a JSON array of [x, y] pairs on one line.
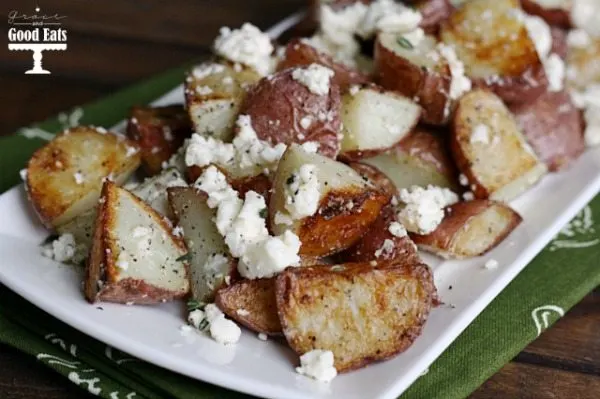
[[281, 98]]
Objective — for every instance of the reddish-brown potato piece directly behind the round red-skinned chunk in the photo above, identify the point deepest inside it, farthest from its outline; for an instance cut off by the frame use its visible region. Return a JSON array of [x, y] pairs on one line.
[[299, 53]]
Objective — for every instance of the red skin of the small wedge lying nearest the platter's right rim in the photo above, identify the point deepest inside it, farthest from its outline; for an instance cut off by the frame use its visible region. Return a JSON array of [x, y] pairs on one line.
[[457, 216]]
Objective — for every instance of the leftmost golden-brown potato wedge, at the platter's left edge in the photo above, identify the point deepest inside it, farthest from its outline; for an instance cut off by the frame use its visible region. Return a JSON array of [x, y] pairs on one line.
[[64, 178]]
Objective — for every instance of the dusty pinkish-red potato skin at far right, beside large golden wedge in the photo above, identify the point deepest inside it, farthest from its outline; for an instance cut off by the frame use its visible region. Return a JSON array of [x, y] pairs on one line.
[[553, 126]]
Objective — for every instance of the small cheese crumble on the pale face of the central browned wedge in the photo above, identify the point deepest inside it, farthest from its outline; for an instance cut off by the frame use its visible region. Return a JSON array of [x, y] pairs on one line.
[[302, 194]]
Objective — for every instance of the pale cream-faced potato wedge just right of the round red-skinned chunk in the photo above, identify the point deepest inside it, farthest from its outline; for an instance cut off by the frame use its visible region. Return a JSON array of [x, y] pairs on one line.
[[375, 120]]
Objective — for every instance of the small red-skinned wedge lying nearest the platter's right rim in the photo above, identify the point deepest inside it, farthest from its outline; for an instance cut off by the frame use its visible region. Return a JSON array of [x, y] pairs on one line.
[[470, 229]]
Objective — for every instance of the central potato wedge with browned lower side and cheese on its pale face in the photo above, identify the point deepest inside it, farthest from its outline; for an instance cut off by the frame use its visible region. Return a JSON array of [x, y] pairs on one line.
[[347, 203]]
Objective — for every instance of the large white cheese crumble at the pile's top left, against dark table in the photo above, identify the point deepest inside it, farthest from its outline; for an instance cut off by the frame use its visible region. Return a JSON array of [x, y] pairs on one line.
[[247, 45]]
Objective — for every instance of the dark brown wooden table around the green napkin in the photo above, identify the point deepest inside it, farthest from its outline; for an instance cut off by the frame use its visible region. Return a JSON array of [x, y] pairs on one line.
[[114, 43]]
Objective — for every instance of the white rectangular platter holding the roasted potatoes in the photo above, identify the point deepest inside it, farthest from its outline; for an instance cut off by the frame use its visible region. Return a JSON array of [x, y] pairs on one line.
[[152, 333]]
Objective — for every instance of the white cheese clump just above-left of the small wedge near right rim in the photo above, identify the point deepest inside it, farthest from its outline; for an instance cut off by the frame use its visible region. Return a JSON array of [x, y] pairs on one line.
[[424, 207]]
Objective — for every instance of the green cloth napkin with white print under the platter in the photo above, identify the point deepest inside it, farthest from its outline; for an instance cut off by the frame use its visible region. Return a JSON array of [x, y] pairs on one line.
[[554, 281]]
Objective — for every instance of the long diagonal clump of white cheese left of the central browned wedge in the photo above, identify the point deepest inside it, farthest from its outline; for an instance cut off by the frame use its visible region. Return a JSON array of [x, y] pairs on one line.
[[245, 231]]
